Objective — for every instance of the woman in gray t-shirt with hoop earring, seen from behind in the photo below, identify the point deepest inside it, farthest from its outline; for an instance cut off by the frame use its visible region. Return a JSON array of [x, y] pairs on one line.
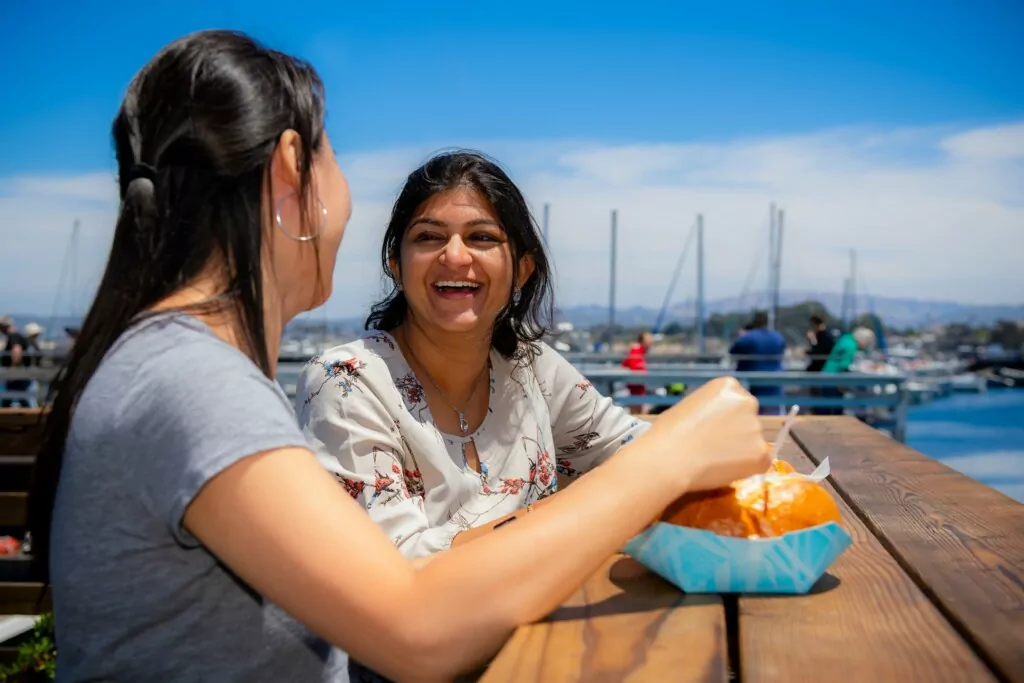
[[190, 532]]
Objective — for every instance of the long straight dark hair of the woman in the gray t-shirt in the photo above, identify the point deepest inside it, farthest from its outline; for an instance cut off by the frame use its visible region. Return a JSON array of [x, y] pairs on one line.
[[194, 140]]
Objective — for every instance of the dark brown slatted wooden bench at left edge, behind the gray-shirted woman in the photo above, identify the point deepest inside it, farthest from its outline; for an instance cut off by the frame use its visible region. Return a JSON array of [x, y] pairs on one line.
[[21, 438]]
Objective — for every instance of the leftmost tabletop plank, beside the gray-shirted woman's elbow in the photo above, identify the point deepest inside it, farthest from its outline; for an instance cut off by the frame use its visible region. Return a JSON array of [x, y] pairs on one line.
[[625, 624]]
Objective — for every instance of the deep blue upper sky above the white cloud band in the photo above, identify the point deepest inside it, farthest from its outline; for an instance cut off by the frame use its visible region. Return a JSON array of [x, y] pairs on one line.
[[406, 73]]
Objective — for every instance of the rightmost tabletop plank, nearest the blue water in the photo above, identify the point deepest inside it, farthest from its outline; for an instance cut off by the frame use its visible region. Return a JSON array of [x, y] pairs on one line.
[[962, 542]]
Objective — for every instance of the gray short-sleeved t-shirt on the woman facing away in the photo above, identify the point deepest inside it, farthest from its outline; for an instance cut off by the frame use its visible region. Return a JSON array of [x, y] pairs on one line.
[[137, 599]]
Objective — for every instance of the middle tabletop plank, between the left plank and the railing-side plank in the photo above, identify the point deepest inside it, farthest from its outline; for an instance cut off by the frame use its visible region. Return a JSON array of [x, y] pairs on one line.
[[865, 621]]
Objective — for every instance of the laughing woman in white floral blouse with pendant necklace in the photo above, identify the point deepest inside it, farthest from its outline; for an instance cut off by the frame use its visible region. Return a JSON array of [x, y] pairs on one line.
[[451, 413]]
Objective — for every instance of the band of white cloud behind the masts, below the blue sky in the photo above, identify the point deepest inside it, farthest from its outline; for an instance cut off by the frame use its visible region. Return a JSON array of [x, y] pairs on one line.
[[935, 212]]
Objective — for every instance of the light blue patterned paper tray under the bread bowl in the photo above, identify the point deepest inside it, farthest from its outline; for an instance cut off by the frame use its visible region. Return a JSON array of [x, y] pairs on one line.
[[700, 562]]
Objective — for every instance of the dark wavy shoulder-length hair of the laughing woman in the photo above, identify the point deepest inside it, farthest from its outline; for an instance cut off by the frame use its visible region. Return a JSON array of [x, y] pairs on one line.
[[526, 319]]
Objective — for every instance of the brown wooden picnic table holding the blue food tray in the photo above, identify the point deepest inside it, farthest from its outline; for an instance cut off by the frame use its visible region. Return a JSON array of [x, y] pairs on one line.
[[931, 590]]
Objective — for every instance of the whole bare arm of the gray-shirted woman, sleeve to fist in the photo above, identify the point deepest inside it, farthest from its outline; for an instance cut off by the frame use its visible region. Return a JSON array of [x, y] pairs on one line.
[[333, 570]]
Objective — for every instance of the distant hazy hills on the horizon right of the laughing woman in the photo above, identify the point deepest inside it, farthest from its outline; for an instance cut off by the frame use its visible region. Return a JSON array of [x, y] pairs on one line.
[[895, 312]]
